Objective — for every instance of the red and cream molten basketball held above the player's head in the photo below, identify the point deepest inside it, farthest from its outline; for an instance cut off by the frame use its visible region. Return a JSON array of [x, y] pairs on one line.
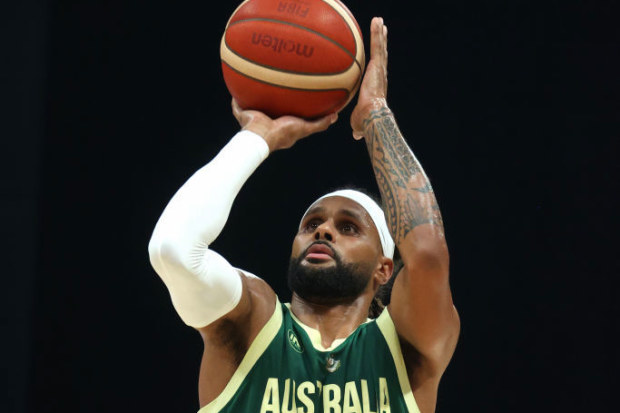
[[300, 57]]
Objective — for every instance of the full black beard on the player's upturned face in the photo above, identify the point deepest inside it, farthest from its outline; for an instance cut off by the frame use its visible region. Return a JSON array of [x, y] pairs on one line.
[[339, 282]]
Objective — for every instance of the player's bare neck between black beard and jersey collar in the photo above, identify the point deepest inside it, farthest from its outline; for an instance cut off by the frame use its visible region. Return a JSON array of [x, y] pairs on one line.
[[333, 321]]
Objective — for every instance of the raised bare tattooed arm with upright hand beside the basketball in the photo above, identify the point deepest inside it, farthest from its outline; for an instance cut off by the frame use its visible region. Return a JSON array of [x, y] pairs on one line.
[[421, 302]]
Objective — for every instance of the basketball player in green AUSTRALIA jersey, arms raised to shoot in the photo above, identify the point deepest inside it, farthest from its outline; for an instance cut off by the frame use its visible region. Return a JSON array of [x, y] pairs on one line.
[[320, 353]]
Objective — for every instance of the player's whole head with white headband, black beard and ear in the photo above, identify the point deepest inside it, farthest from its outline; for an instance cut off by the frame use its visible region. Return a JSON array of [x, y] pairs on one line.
[[342, 249]]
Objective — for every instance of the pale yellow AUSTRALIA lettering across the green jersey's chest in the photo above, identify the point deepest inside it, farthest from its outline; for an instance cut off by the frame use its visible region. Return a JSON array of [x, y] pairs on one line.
[[307, 397]]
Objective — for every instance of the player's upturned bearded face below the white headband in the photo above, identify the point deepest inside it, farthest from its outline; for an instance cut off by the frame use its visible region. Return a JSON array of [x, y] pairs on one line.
[[336, 251]]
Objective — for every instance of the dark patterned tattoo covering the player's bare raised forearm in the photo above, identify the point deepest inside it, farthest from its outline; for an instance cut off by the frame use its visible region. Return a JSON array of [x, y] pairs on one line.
[[409, 200]]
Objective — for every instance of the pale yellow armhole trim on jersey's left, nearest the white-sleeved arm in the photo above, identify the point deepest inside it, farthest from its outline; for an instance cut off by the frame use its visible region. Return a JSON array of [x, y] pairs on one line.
[[256, 350]]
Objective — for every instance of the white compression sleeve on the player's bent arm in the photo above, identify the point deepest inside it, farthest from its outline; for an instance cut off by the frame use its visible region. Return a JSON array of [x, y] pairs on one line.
[[202, 284]]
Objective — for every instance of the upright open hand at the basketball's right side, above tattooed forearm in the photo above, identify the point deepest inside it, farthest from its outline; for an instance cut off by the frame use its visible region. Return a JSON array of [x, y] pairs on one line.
[[373, 90]]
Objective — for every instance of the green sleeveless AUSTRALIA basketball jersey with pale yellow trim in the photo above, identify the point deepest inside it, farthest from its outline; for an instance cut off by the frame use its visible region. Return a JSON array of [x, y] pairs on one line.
[[286, 370]]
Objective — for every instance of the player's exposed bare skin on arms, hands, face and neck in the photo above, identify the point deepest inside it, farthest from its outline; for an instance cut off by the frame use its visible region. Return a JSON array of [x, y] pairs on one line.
[[421, 302]]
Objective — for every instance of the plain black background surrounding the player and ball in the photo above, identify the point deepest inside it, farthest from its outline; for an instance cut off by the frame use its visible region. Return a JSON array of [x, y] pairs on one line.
[[512, 108]]
